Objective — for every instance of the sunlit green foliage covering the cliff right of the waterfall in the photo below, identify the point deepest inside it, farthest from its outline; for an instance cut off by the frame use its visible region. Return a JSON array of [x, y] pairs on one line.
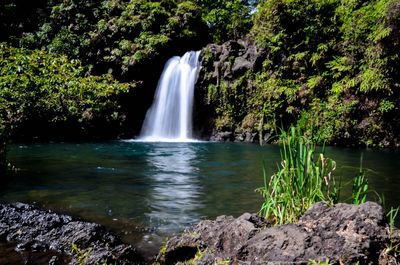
[[329, 67]]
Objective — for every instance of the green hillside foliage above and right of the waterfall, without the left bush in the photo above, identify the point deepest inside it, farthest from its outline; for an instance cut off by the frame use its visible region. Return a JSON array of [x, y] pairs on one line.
[[329, 63]]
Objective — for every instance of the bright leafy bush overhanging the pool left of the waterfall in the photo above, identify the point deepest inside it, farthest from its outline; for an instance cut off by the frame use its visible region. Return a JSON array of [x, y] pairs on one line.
[[43, 89]]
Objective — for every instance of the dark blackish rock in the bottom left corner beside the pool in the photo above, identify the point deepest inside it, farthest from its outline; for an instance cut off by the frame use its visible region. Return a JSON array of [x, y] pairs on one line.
[[37, 230]]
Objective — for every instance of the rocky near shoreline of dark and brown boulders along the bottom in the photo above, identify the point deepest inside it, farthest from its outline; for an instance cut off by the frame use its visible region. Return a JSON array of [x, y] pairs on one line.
[[342, 234]]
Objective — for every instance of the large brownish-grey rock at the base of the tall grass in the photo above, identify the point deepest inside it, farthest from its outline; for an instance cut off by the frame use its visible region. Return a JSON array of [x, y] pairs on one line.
[[343, 234]]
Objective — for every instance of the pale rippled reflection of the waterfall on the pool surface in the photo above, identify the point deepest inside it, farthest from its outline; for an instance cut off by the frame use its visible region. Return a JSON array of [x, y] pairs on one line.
[[175, 191]]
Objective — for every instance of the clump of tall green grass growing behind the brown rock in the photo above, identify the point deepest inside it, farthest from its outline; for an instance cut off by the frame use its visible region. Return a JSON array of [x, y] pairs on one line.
[[303, 178]]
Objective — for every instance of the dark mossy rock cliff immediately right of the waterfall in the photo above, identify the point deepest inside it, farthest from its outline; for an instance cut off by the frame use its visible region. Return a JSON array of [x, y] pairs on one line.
[[222, 109]]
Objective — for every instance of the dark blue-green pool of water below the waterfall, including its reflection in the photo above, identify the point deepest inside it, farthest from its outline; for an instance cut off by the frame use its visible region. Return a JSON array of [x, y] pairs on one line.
[[147, 191]]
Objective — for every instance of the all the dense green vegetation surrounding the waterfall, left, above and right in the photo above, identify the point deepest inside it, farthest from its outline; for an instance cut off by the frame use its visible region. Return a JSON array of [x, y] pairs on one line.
[[330, 66]]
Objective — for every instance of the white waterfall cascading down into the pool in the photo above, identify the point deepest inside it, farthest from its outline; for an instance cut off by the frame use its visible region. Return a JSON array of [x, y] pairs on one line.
[[170, 116]]
